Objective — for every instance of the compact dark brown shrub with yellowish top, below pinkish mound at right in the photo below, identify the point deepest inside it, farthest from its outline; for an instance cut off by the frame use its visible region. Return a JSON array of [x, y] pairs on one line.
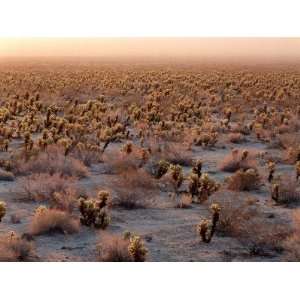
[[244, 180]]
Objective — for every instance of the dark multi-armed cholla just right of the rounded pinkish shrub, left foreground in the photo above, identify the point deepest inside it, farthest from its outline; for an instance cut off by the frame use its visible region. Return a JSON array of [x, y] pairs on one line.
[[94, 212]]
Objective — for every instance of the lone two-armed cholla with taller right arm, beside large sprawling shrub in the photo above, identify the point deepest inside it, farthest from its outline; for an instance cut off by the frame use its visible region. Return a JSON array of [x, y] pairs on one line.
[[206, 228]]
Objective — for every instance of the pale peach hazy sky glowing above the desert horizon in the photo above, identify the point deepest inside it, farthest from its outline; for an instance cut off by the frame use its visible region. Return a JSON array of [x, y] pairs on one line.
[[277, 48]]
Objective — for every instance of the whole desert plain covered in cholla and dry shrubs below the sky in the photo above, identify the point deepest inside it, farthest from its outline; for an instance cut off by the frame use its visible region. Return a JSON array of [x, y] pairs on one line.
[[142, 161]]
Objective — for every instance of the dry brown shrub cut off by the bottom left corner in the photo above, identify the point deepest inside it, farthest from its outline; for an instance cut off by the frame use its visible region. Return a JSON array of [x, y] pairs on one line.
[[15, 248]]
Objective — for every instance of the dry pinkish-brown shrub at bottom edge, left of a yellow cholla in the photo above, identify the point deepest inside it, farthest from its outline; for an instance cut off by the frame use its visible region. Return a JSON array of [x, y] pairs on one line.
[[113, 248]]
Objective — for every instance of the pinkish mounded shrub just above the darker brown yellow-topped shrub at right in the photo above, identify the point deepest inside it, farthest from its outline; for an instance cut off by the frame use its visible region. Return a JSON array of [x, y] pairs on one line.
[[237, 160]]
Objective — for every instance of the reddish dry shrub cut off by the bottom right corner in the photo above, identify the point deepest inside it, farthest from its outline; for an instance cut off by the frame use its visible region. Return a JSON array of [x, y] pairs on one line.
[[292, 244]]
